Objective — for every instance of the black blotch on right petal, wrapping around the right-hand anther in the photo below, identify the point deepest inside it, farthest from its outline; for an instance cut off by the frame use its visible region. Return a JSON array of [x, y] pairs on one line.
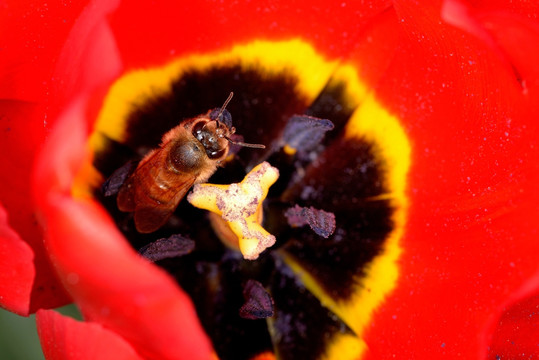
[[347, 180]]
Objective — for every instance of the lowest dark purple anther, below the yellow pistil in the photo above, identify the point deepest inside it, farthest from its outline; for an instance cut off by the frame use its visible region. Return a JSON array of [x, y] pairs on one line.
[[258, 302]]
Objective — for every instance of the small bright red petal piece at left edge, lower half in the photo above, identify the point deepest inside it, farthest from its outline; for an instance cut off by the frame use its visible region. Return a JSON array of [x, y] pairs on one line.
[[16, 269]]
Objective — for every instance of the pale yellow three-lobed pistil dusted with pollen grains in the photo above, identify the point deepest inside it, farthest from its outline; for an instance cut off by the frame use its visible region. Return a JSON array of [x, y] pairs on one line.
[[240, 206]]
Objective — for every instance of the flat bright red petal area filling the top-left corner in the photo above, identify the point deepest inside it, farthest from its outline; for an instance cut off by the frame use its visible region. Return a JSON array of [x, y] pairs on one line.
[[32, 37]]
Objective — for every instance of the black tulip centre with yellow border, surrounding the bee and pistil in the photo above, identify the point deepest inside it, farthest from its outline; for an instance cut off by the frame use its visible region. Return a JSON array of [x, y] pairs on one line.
[[336, 210]]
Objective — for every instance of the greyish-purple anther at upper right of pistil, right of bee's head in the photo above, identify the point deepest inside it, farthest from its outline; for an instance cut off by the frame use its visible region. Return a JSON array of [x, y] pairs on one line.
[[304, 133]]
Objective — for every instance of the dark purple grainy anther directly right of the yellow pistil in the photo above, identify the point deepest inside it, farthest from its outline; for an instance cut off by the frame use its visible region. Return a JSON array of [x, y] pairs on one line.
[[322, 222]]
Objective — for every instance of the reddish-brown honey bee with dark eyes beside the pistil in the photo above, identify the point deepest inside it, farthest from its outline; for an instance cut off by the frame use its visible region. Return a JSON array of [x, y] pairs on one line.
[[189, 154]]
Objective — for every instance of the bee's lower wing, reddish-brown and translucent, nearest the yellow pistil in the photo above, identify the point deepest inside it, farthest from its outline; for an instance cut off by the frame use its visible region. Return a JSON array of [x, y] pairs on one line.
[[150, 217]]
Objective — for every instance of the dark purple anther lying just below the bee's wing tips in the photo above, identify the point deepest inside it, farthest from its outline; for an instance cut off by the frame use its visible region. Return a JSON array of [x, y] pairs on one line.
[[166, 248]]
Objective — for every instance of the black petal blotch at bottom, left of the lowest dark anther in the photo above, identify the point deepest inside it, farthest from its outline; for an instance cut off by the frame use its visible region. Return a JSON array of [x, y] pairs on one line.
[[217, 292]]
